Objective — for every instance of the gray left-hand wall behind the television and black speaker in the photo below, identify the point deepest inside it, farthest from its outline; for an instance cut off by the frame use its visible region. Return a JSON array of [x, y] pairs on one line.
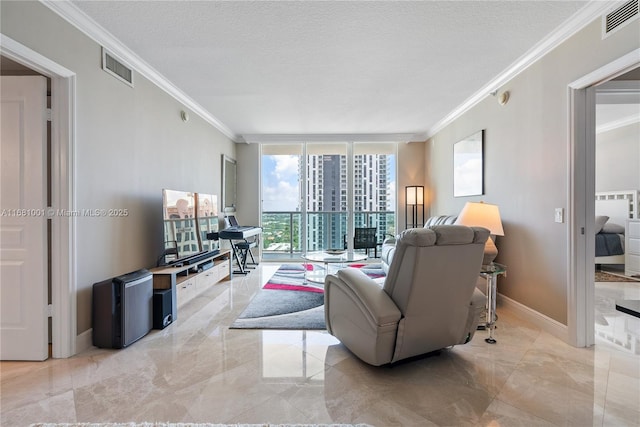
[[130, 143]]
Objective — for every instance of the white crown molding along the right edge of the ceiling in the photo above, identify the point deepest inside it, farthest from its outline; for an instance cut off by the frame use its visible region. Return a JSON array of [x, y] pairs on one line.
[[593, 10]]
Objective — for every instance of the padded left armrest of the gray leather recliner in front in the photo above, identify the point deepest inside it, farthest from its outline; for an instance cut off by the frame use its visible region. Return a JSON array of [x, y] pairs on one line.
[[372, 299]]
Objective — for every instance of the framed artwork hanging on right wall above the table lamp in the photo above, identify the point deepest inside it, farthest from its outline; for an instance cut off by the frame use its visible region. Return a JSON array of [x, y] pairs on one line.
[[468, 166]]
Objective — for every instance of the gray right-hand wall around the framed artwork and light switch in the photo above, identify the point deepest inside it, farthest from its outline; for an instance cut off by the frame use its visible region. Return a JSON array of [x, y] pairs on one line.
[[526, 165]]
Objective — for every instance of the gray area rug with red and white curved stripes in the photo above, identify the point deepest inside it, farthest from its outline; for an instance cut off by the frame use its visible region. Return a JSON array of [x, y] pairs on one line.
[[288, 301]]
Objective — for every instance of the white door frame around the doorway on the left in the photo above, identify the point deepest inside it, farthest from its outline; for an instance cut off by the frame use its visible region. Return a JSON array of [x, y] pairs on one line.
[[63, 227]]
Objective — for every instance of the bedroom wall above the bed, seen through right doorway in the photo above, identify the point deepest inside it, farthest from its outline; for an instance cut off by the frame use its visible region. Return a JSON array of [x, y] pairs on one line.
[[618, 159]]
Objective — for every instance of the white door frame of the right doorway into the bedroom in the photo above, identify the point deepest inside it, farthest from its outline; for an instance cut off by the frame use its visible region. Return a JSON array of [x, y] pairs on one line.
[[580, 292]]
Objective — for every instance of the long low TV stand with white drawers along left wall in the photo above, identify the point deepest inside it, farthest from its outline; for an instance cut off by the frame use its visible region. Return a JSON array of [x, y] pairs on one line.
[[190, 279]]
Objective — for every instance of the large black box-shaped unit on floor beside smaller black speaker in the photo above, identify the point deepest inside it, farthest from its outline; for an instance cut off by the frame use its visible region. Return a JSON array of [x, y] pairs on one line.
[[122, 309]]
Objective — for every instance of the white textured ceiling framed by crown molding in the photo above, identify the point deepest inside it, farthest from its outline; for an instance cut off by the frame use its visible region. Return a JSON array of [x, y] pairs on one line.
[[329, 67]]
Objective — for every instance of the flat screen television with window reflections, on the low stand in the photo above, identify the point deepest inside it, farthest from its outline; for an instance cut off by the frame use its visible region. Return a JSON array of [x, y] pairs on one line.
[[187, 218]]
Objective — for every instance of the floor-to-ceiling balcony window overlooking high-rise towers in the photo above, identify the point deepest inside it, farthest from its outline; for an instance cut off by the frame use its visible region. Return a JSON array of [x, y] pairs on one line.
[[314, 195]]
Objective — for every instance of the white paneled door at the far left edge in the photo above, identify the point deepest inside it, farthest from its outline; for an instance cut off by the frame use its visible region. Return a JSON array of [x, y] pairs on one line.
[[23, 223]]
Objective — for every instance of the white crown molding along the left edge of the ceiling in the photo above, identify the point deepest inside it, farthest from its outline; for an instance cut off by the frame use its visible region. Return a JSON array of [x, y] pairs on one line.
[[70, 13]]
